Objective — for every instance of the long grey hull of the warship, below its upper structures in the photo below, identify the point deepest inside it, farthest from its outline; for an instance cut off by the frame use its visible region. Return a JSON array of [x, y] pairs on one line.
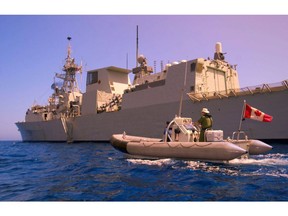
[[150, 120]]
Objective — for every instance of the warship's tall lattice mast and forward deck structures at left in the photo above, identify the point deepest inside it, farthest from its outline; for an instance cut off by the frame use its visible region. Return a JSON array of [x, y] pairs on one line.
[[66, 100]]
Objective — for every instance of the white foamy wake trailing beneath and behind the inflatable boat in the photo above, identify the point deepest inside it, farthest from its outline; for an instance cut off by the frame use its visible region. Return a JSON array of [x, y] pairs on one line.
[[274, 165]]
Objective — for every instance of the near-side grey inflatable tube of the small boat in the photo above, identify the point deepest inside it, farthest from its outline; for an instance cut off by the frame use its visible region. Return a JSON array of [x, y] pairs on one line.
[[154, 148]]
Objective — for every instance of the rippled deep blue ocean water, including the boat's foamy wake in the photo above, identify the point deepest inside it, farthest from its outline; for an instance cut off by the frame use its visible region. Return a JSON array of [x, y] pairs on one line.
[[98, 172]]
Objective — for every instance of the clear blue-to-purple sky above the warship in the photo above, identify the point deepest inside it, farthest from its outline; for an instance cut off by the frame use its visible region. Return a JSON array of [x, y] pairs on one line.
[[33, 47]]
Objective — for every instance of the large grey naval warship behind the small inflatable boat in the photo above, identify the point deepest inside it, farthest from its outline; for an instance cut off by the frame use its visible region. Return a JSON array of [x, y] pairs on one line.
[[112, 104]]
